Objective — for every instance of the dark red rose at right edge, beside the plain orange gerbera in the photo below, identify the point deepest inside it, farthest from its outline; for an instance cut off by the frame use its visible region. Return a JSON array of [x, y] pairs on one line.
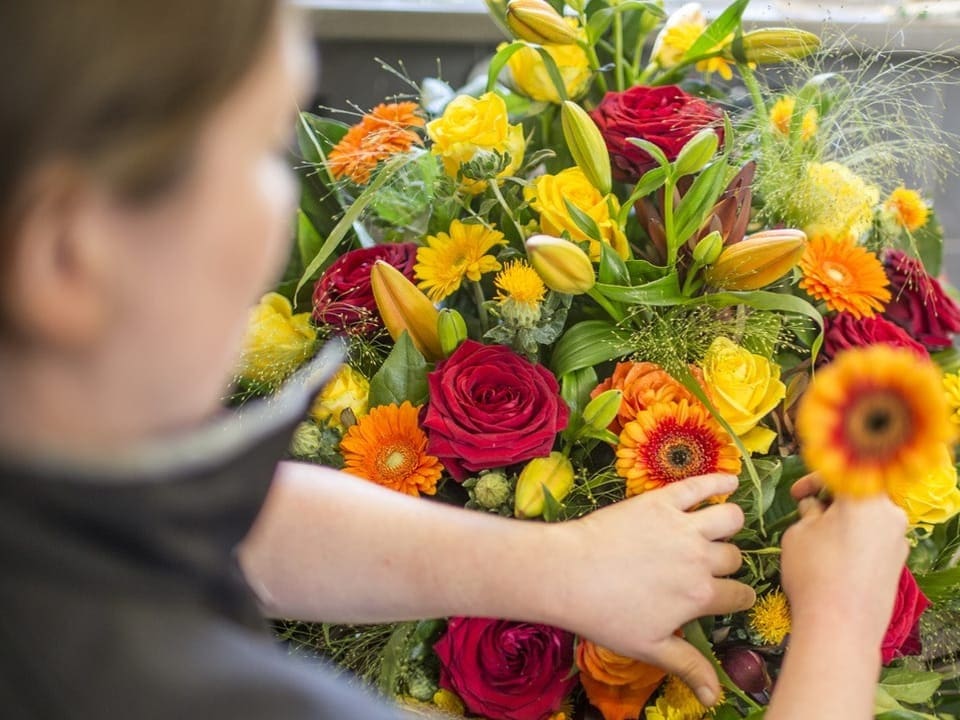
[[919, 304]]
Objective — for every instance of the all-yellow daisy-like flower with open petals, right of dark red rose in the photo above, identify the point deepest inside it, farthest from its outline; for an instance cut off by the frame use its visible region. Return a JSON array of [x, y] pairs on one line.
[[452, 256]]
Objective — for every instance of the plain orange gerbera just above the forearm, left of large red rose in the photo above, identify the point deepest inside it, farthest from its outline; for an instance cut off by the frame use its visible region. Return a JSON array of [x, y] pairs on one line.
[[388, 447]]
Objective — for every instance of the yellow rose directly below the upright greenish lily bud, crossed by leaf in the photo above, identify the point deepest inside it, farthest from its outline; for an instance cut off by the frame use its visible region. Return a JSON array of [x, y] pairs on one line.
[[549, 195]]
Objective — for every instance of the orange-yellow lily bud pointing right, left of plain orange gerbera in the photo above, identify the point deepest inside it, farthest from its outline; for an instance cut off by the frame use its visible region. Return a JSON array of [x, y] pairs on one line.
[[758, 260]]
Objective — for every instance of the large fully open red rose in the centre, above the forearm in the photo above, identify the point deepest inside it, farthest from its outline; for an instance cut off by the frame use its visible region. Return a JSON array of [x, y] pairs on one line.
[[490, 407]]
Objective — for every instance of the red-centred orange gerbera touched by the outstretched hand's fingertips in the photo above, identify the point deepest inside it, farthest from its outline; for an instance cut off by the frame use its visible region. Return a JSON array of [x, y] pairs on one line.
[[672, 441]]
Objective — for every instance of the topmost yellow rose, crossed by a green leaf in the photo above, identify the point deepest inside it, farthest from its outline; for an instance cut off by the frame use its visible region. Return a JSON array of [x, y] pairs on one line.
[[530, 76]]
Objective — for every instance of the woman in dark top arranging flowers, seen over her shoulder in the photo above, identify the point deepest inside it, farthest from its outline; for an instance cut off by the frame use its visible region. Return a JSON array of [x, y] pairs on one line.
[[144, 205]]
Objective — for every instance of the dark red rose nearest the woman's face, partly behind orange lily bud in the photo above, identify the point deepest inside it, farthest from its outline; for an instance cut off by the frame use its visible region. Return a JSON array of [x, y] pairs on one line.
[[342, 297]]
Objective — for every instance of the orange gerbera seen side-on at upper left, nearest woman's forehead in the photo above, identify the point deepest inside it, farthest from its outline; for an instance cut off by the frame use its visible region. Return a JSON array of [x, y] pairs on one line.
[[382, 133]]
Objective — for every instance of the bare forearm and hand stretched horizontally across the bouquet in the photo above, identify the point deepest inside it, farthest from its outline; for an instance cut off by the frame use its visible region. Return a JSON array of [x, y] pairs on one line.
[[329, 546]]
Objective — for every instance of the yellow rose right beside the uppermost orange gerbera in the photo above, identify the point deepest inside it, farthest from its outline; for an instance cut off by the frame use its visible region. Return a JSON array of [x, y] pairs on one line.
[[472, 126]]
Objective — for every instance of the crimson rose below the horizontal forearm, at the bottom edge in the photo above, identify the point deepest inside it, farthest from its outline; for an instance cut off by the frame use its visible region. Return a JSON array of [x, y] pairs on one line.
[[506, 670]]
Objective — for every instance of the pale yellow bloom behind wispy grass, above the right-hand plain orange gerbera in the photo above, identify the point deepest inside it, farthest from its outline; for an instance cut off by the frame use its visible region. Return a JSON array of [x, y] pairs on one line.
[[833, 200]]
